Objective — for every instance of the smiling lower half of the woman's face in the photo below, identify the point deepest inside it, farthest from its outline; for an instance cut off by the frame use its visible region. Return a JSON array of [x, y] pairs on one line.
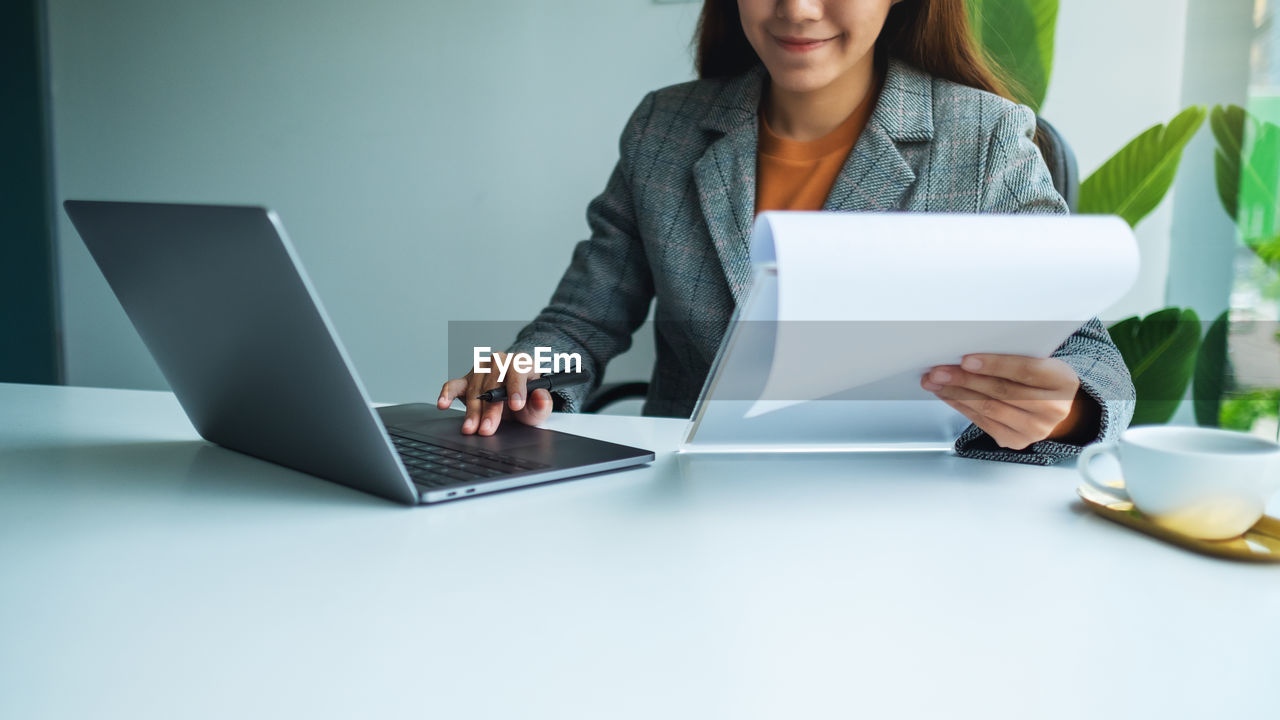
[[810, 44]]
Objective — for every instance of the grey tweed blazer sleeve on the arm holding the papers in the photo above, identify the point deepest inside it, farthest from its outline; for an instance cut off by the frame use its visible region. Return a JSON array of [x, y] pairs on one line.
[[1018, 181]]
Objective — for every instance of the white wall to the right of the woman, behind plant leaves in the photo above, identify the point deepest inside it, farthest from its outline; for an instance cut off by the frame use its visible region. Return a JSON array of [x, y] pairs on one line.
[[1126, 66]]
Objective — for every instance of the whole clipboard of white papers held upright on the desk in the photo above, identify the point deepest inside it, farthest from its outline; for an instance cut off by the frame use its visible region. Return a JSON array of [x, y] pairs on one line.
[[854, 308]]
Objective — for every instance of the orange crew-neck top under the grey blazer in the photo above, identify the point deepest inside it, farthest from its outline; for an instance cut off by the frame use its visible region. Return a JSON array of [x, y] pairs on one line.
[[793, 175]]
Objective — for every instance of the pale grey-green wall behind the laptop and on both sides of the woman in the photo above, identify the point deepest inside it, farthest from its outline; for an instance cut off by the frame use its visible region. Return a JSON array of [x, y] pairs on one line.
[[406, 144]]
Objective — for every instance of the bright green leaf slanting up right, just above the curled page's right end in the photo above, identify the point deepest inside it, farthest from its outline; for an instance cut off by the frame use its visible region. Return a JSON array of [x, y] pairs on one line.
[[1135, 181]]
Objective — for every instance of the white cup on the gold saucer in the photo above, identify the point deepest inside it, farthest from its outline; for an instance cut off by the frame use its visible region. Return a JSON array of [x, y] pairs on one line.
[[1201, 482]]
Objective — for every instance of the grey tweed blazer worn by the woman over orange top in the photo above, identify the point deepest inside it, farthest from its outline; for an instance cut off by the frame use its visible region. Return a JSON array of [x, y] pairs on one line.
[[674, 225]]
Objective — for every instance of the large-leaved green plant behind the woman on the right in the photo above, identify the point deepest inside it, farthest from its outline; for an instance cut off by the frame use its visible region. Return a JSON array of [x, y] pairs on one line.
[[1163, 350]]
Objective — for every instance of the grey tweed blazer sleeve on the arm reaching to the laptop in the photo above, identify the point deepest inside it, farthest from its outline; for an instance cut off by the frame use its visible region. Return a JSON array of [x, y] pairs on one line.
[[606, 293]]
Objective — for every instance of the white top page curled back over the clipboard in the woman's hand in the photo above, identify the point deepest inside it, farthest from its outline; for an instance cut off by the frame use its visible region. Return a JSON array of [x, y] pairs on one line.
[[874, 302]]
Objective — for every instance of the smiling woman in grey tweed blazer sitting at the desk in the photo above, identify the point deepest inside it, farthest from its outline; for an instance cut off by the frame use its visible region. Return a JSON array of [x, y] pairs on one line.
[[851, 106]]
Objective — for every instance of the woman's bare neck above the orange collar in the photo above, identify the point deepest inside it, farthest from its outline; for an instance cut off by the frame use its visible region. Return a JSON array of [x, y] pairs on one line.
[[807, 116]]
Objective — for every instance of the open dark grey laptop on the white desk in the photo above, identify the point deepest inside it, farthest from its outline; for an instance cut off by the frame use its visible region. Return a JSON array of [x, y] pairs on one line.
[[225, 307]]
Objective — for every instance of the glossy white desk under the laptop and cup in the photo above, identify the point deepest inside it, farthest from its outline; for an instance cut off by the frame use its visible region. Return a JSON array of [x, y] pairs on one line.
[[148, 575]]
